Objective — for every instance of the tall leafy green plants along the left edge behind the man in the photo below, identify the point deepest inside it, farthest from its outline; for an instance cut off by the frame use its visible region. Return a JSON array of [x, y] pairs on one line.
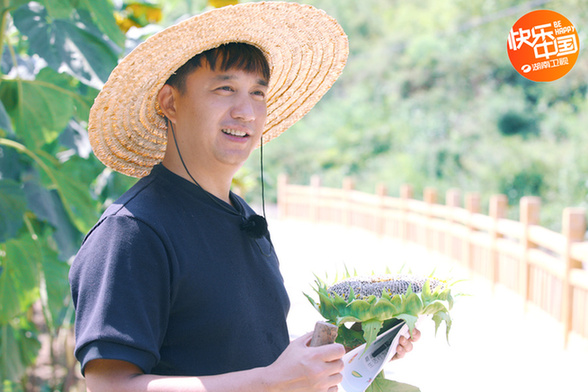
[[56, 55]]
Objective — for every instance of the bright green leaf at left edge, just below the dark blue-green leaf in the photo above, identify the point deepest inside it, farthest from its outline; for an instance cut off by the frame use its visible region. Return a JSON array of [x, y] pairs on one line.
[[40, 108]]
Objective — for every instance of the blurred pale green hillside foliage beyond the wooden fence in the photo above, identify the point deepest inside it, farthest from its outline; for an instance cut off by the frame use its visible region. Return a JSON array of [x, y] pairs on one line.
[[429, 97]]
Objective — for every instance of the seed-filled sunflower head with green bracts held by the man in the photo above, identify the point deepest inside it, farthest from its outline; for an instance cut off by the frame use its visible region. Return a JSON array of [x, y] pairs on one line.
[[376, 303]]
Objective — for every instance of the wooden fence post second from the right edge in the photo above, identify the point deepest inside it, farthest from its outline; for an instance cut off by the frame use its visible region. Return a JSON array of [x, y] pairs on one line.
[[529, 215]]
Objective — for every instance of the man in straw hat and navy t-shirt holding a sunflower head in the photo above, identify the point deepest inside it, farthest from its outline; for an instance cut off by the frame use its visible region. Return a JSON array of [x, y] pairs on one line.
[[177, 287]]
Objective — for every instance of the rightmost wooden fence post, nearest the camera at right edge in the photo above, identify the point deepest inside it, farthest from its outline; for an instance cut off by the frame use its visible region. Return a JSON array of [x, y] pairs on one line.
[[573, 229]]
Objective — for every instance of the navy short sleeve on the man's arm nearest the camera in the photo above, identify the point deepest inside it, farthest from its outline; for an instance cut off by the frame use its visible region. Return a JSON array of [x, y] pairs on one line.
[[121, 288]]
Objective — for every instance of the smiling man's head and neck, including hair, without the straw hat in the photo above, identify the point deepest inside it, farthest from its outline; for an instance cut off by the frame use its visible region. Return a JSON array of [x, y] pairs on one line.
[[229, 100]]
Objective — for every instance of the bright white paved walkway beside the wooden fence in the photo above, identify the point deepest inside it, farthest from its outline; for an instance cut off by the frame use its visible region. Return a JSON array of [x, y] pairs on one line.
[[494, 344]]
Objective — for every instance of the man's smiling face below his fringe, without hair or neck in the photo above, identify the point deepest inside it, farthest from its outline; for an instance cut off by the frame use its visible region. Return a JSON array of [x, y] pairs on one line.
[[220, 117]]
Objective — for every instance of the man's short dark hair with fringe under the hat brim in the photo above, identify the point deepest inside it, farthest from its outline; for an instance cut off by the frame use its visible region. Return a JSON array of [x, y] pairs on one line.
[[233, 55]]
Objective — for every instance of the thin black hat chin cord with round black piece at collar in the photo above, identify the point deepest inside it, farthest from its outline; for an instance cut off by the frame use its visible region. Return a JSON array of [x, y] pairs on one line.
[[255, 226]]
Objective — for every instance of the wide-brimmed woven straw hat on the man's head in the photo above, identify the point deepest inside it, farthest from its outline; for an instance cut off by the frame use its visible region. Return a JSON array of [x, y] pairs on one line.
[[306, 50]]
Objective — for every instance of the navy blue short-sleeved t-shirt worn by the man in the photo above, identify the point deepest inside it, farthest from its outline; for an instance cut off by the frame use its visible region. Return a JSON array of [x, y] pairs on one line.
[[168, 281]]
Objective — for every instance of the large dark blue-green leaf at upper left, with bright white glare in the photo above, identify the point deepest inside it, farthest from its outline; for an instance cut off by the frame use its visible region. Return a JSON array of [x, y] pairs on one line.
[[73, 45]]
